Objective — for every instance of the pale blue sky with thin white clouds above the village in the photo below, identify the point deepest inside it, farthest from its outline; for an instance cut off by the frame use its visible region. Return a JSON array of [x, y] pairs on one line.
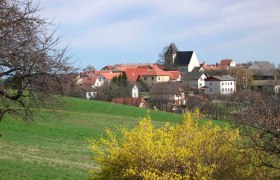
[[108, 32]]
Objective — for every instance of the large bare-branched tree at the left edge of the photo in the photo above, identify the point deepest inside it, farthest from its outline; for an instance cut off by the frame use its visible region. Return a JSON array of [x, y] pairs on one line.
[[30, 63]]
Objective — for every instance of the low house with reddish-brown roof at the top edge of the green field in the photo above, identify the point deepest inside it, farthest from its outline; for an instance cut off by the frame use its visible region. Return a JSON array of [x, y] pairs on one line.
[[137, 102]]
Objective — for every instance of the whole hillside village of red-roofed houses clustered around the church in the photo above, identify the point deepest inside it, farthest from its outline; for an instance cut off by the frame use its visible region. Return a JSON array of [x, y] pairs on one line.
[[169, 86]]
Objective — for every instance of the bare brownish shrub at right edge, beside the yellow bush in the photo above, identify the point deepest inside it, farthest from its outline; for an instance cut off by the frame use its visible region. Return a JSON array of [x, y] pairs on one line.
[[259, 119]]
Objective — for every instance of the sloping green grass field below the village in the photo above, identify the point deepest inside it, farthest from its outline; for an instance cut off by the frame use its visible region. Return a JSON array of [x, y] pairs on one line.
[[56, 148]]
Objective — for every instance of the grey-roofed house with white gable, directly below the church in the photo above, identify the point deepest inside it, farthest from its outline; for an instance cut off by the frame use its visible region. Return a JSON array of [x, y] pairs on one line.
[[195, 80]]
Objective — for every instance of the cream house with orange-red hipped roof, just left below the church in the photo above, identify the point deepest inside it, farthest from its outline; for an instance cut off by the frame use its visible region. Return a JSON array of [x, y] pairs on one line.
[[153, 76]]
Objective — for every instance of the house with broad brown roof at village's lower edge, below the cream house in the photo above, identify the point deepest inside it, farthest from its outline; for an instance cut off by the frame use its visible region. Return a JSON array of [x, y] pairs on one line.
[[170, 94]]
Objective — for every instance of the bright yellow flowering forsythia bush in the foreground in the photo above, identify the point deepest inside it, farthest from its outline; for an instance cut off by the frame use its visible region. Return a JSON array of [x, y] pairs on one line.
[[183, 151]]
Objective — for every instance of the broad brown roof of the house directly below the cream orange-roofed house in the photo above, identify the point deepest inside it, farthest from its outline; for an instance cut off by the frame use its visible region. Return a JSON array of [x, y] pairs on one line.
[[167, 88]]
